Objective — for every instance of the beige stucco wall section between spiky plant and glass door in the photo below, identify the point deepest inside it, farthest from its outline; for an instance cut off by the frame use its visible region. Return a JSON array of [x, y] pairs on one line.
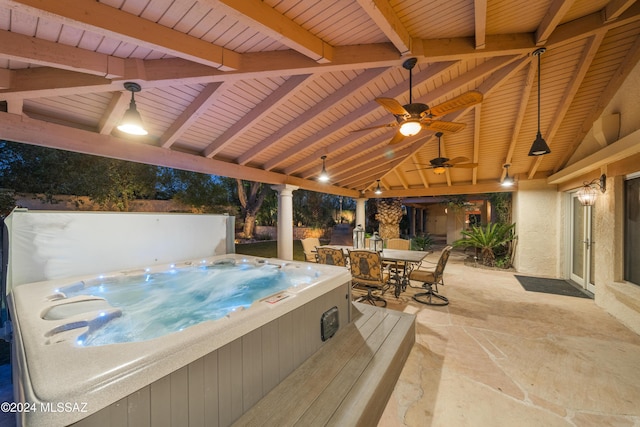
[[536, 213]]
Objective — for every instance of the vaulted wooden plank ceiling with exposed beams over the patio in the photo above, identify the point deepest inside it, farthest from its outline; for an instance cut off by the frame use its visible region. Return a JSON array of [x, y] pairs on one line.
[[261, 90]]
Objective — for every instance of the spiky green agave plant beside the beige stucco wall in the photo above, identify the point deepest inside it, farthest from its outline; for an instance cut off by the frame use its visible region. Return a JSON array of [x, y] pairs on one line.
[[487, 239]]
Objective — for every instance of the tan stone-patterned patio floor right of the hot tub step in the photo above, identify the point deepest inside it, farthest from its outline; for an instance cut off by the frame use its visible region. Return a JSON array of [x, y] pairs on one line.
[[498, 355]]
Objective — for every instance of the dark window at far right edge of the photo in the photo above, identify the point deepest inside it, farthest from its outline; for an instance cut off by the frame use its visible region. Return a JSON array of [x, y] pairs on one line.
[[632, 231]]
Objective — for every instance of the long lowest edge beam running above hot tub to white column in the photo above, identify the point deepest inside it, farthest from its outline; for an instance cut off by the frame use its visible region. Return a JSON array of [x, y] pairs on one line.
[[23, 129]]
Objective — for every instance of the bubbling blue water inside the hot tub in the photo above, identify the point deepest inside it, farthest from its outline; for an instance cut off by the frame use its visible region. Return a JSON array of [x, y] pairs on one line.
[[154, 304]]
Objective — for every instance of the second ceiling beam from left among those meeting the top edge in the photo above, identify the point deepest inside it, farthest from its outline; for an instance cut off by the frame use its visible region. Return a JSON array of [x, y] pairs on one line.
[[256, 13]]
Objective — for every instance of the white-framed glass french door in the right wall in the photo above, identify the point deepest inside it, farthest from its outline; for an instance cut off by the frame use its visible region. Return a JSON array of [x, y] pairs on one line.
[[582, 245]]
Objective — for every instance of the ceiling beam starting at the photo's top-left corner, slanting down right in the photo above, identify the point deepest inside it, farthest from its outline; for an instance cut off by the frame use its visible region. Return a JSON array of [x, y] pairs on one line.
[[111, 22]]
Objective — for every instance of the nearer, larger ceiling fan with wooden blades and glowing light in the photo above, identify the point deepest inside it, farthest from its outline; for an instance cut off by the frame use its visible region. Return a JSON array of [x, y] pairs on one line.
[[413, 117]]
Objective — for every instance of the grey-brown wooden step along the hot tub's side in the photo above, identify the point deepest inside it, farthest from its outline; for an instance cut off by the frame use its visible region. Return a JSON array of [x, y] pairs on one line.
[[348, 381]]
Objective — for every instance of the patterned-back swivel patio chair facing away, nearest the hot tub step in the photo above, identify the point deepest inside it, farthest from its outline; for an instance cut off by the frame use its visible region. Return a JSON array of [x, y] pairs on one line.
[[367, 272]]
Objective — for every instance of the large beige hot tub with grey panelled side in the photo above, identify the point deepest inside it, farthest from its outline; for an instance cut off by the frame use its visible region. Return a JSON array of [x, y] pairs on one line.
[[206, 372]]
